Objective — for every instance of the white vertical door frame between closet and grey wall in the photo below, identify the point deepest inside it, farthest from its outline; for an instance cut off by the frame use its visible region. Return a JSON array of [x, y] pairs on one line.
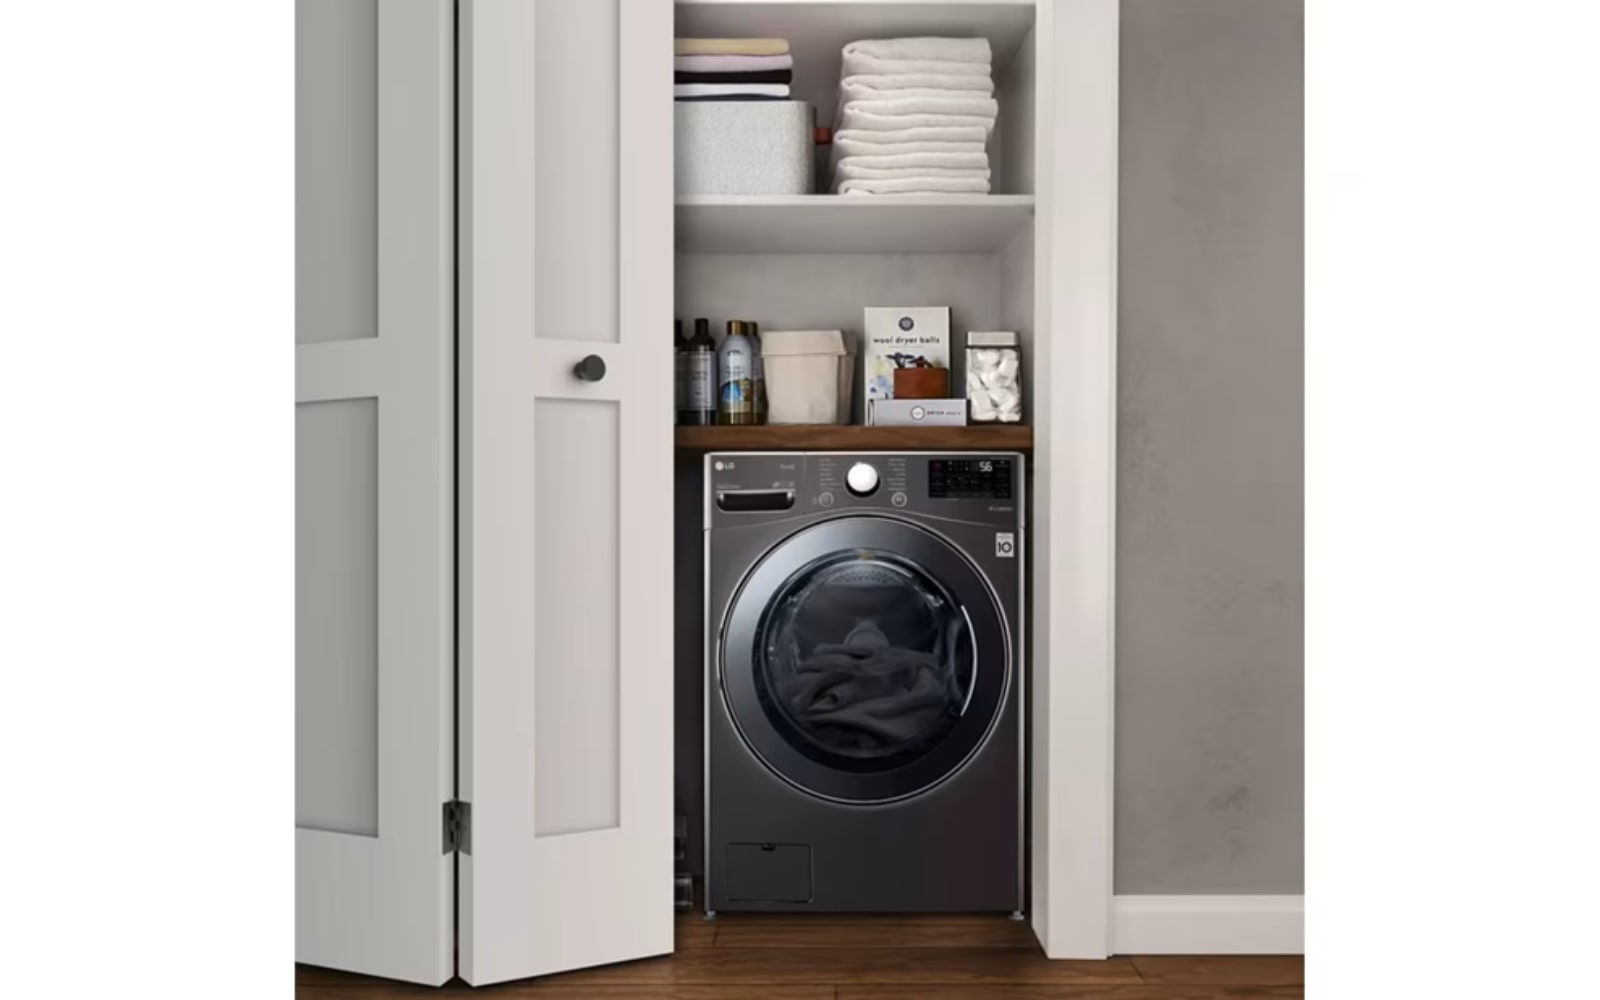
[[1076, 476]]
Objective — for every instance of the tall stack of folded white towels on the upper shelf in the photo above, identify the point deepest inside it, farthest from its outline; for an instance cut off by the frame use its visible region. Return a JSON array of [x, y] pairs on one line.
[[914, 118]]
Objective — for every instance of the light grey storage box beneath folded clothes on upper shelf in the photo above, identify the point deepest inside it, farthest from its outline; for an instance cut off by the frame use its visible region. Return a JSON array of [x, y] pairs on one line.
[[743, 148]]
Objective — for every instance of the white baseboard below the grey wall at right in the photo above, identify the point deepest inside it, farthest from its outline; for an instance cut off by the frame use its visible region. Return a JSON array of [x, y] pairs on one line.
[[1209, 926]]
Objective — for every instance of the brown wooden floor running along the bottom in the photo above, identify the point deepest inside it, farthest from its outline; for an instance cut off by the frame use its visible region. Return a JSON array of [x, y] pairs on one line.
[[766, 958]]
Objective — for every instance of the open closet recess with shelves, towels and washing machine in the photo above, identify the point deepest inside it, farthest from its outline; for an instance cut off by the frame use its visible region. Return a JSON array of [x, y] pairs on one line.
[[769, 234]]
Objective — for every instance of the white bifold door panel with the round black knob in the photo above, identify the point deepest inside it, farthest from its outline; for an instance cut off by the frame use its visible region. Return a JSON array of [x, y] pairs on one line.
[[567, 492]]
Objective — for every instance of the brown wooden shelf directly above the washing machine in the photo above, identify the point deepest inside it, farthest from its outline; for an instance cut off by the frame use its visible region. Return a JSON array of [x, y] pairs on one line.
[[842, 438]]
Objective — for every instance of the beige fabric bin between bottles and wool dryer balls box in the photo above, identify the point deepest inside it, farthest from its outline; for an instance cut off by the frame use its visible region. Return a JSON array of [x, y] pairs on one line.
[[809, 377]]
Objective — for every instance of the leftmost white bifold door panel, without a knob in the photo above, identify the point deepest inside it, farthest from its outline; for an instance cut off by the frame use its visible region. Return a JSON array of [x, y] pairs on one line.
[[375, 487]]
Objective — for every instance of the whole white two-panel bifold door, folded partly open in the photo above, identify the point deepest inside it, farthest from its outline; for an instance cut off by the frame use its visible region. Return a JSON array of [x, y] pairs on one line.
[[486, 486]]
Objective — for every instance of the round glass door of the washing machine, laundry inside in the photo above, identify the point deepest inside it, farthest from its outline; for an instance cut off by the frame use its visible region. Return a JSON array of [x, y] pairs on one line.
[[865, 660]]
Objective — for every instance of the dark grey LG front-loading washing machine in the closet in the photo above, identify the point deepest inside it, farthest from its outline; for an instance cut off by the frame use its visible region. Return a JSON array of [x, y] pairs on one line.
[[865, 682]]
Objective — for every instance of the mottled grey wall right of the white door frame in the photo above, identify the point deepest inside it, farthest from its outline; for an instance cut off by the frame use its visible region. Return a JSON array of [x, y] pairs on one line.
[[1210, 594]]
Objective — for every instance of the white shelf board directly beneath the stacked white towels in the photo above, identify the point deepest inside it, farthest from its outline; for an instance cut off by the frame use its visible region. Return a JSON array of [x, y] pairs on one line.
[[850, 223]]
